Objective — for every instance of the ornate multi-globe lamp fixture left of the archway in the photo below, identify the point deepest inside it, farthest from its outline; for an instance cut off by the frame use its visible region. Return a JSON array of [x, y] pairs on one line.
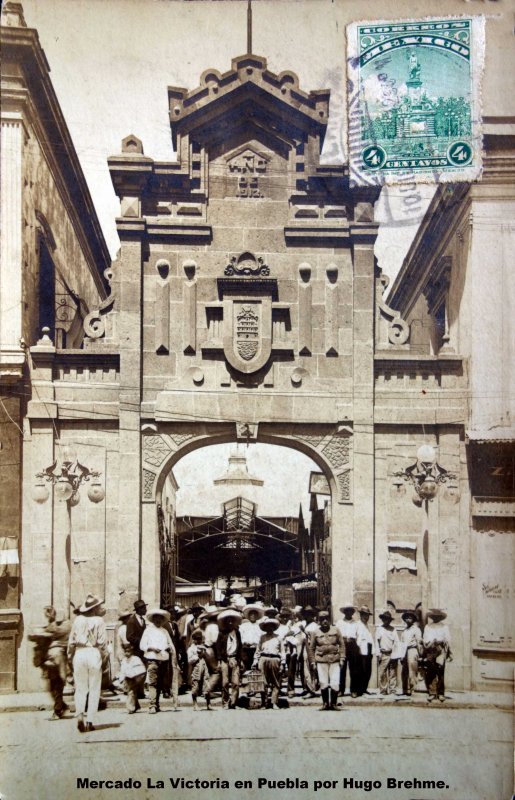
[[68, 481]]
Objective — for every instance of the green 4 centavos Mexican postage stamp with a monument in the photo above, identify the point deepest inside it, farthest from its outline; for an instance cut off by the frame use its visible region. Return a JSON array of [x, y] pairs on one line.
[[414, 100]]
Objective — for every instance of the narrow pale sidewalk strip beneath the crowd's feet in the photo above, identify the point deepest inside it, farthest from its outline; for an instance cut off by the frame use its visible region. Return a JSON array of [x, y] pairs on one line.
[[41, 701]]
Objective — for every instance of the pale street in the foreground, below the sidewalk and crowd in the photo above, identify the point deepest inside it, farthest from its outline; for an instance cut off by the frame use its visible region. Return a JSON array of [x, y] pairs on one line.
[[467, 747]]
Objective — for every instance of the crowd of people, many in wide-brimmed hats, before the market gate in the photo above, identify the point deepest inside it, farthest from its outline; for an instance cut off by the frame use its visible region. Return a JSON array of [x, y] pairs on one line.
[[244, 651]]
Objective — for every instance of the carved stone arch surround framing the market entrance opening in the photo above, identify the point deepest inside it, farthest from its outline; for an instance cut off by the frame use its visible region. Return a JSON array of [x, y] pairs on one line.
[[330, 446]]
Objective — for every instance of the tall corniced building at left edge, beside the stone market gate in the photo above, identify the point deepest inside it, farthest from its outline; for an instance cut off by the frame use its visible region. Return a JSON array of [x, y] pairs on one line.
[[53, 256]]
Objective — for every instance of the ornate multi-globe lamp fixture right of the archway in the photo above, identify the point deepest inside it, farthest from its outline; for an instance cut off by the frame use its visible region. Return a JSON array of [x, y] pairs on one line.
[[426, 475]]
